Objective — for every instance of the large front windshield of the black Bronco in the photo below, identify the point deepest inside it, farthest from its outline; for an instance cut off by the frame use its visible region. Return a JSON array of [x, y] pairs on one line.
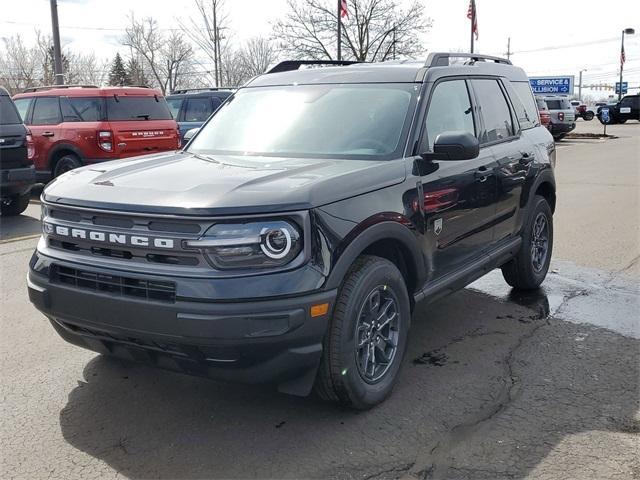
[[364, 121]]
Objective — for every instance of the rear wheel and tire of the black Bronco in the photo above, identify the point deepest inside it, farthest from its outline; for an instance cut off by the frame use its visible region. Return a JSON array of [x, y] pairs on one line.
[[528, 269]]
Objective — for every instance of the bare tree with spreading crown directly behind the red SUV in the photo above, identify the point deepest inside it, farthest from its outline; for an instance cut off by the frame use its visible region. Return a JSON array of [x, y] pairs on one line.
[[168, 57]]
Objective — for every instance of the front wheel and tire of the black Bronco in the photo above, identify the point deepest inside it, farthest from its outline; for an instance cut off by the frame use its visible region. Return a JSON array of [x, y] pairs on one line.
[[348, 374]]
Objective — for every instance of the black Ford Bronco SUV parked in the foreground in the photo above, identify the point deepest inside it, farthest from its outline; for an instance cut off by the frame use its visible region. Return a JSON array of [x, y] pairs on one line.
[[290, 240]]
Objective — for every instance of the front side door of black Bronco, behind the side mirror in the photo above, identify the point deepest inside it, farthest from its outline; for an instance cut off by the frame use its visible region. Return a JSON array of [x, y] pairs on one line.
[[458, 196]]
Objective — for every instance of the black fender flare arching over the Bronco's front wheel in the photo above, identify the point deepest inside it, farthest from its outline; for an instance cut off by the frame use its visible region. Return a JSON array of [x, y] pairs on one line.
[[383, 230]]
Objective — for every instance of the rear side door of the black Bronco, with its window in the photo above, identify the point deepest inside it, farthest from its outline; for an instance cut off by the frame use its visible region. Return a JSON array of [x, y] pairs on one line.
[[513, 151]]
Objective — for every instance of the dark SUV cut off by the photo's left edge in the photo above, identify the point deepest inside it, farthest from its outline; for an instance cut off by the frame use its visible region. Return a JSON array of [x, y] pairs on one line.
[[17, 173]]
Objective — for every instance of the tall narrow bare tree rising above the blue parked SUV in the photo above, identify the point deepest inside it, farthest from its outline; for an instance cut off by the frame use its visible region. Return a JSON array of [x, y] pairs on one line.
[[206, 32]]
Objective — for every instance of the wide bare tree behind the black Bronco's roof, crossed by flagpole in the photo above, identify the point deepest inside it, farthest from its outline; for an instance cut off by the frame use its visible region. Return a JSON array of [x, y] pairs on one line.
[[376, 30]]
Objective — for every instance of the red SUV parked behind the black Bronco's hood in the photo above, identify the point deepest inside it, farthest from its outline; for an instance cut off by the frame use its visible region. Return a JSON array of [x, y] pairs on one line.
[[78, 125]]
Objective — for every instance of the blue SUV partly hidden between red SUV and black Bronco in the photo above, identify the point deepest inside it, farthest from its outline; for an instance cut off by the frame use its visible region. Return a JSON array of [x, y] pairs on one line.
[[192, 107]]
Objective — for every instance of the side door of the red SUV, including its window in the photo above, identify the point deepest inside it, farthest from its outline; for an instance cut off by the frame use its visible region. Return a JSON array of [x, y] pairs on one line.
[[45, 119]]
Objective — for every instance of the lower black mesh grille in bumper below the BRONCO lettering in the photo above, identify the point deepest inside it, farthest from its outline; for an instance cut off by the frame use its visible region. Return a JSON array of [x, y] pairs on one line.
[[114, 284]]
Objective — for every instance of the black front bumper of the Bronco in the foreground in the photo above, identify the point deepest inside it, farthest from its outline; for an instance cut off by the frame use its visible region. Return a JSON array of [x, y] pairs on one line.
[[272, 341]]
